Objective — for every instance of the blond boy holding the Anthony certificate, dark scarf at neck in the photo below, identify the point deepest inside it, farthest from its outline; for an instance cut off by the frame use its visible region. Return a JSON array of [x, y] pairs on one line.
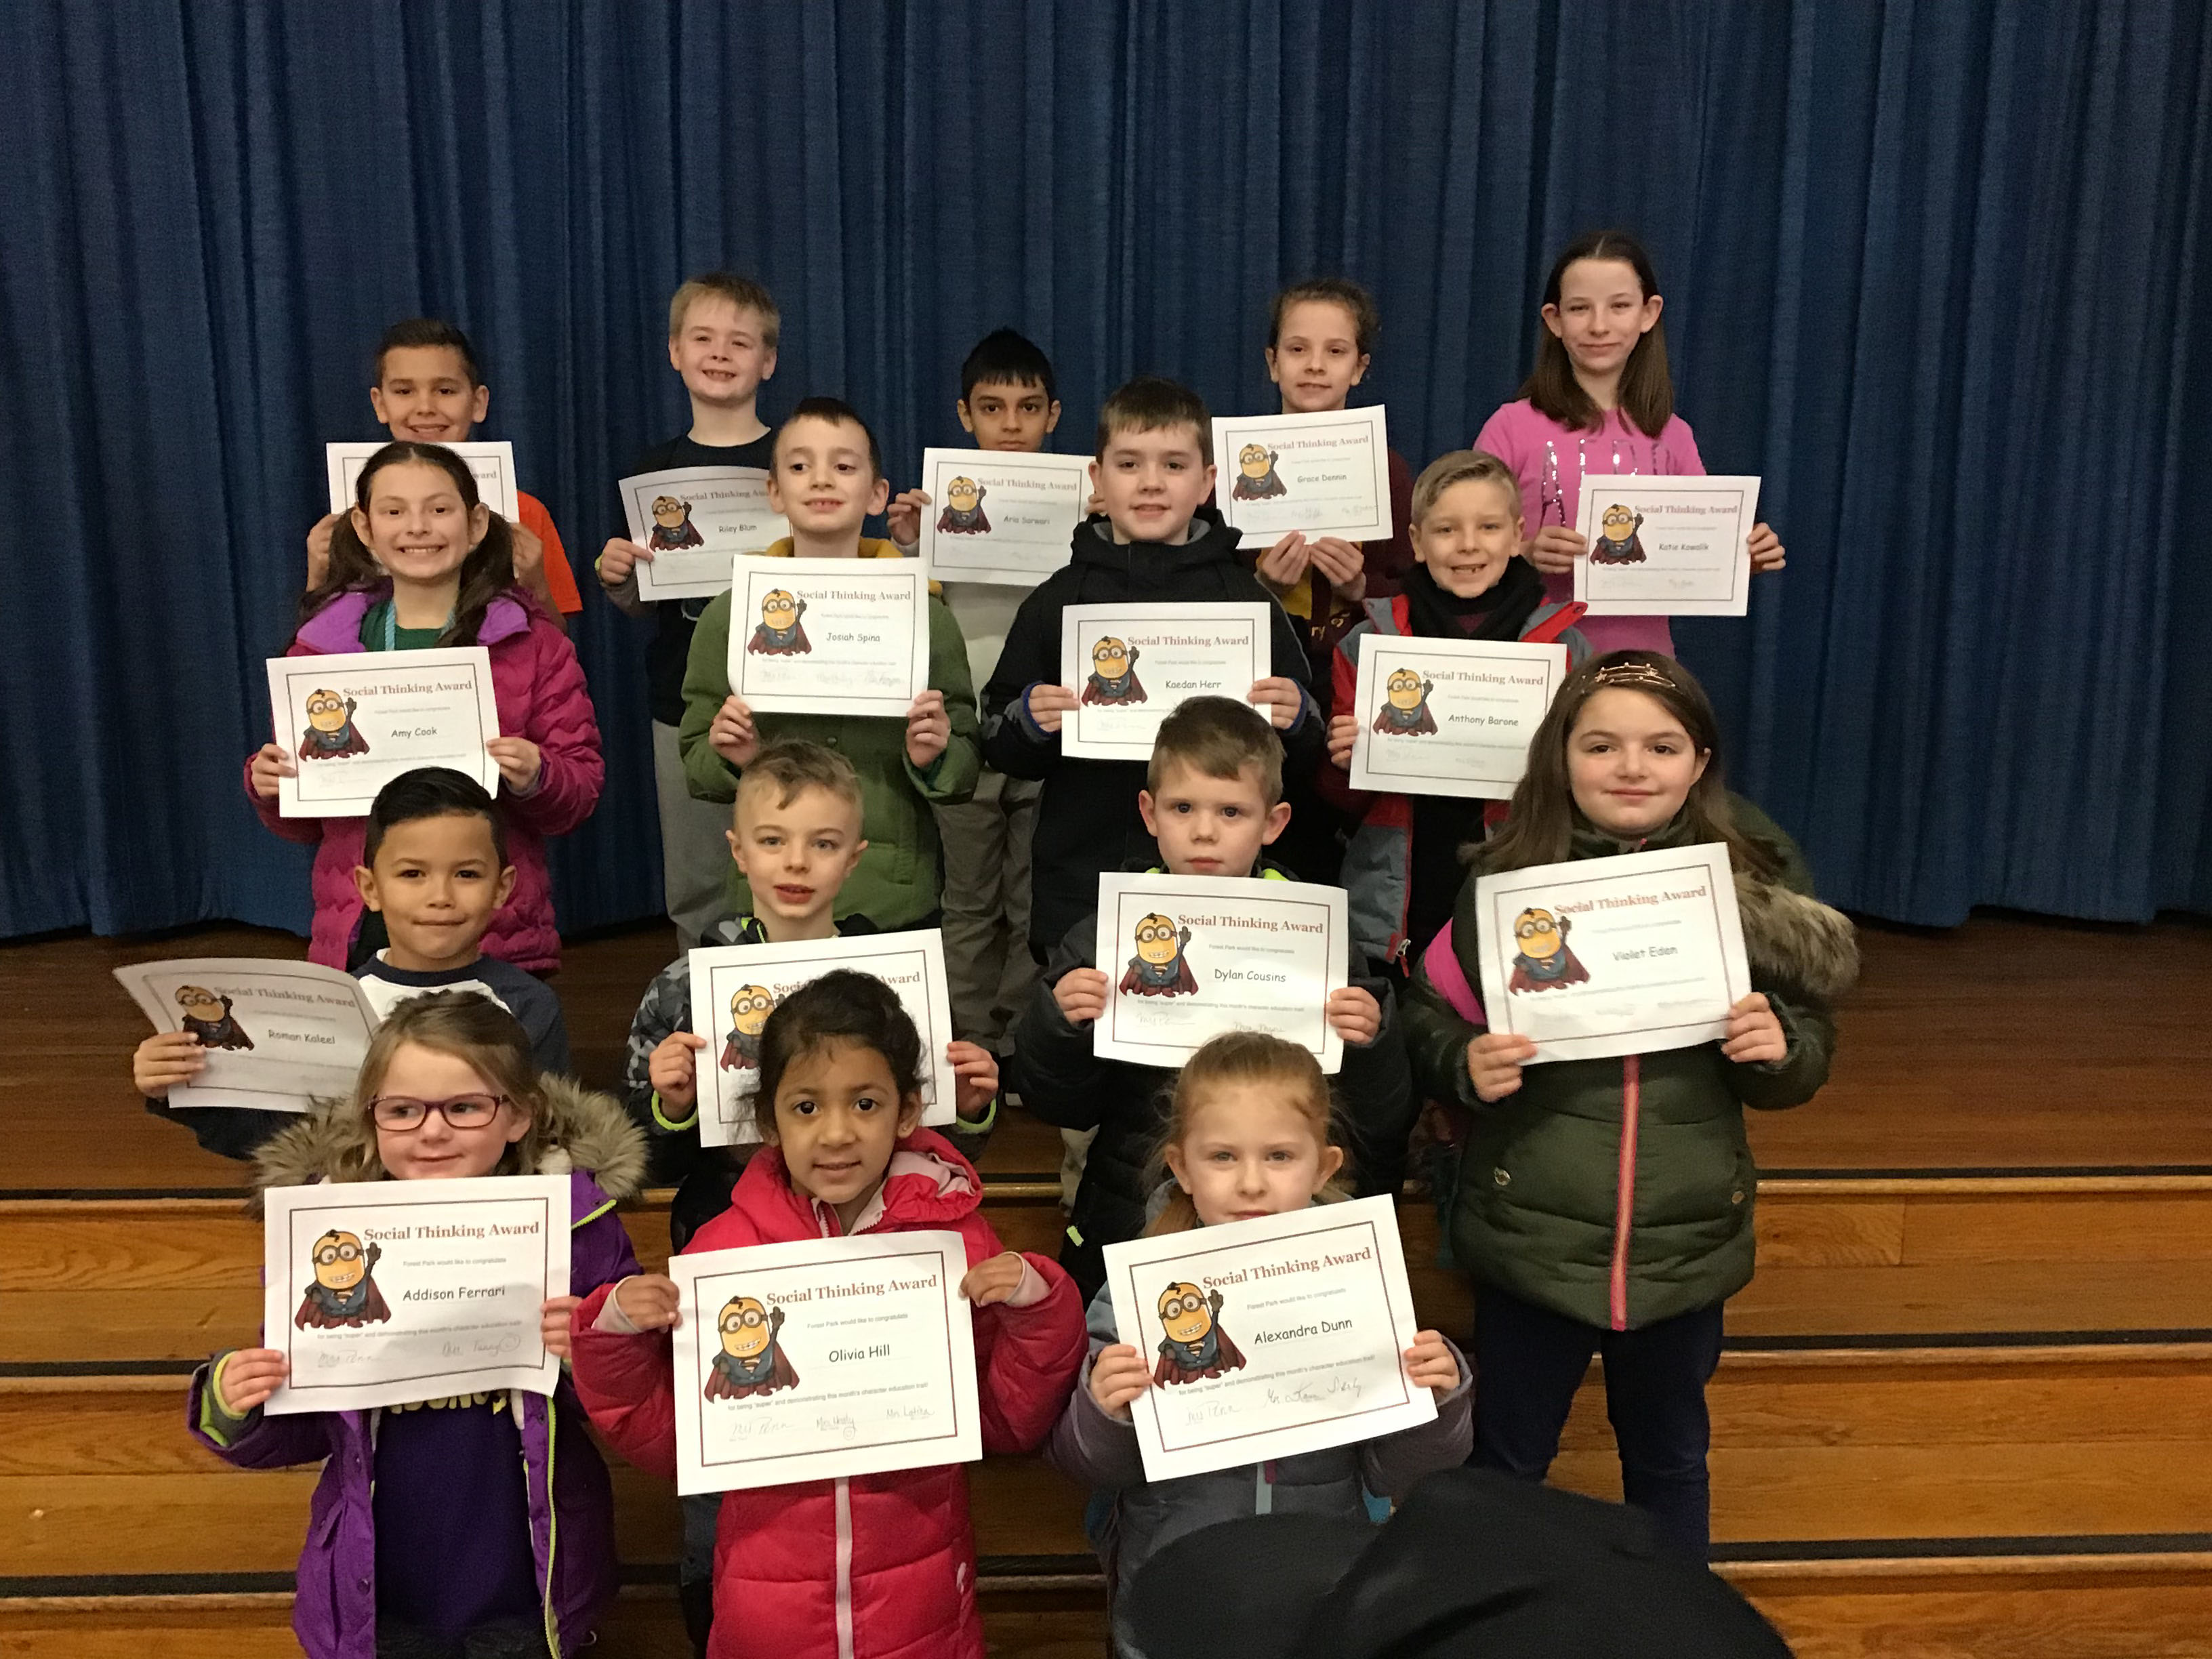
[[1404, 864]]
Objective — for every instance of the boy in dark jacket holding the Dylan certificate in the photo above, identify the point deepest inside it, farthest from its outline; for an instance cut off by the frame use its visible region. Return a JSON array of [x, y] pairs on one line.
[[1215, 804]]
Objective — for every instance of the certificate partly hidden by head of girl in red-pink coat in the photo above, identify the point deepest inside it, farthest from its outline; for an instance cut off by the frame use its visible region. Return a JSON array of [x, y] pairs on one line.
[[735, 988]]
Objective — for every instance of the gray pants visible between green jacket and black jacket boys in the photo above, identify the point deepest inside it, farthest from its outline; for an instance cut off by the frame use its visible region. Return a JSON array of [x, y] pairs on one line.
[[988, 906]]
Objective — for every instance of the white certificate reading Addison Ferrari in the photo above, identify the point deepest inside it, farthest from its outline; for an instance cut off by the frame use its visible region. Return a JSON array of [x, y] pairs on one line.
[[384, 1293]]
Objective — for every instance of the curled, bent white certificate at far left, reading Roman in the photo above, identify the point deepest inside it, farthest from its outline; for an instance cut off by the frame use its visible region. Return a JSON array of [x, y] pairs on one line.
[[278, 1036]]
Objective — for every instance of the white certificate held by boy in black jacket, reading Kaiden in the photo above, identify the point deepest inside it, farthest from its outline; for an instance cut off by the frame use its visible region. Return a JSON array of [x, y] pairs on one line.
[[1131, 667]]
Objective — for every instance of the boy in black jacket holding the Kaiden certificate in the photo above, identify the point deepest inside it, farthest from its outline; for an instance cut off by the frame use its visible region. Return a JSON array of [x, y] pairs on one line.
[[1154, 470]]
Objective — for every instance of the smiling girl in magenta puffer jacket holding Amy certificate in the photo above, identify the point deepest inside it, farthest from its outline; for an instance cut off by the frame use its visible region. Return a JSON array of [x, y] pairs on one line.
[[424, 563]]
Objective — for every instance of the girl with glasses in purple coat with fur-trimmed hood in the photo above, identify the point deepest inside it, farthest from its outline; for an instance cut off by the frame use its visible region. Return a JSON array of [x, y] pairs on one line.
[[486, 1523]]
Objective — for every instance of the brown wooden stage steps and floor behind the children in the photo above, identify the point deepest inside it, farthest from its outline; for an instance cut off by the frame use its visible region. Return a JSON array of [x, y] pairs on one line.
[[1965, 1406]]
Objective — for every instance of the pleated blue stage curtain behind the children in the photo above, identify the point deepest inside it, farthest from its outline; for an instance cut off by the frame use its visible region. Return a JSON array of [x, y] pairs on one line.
[[1937, 271]]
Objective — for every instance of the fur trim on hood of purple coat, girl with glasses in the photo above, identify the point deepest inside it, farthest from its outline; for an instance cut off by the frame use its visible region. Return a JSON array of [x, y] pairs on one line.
[[581, 1129]]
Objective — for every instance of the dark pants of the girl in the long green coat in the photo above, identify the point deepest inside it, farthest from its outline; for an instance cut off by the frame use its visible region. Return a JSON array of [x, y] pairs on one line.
[[1530, 1364]]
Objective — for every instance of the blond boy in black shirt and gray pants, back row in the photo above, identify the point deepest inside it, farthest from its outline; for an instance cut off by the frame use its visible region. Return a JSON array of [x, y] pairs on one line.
[[722, 340]]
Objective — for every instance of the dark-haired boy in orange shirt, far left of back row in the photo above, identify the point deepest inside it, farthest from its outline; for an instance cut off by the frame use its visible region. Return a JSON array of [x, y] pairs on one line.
[[428, 388]]
